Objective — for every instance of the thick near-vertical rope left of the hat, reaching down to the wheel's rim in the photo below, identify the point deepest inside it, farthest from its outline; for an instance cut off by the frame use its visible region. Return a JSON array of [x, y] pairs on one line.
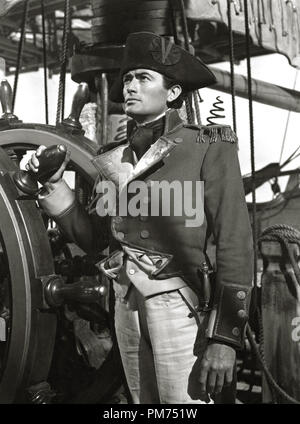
[[63, 64]]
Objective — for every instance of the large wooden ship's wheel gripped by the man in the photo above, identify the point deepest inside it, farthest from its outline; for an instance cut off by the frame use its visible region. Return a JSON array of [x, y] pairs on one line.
[[28, 326]]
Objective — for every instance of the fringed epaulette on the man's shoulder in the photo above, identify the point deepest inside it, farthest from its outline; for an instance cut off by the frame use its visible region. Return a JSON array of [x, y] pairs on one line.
[[213, 133]]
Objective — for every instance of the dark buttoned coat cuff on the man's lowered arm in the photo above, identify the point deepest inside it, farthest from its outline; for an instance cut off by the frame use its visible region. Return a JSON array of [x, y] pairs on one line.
[[229, 315]]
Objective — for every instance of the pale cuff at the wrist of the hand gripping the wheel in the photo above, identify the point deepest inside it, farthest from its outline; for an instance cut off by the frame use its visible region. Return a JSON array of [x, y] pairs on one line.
[[59, 200]]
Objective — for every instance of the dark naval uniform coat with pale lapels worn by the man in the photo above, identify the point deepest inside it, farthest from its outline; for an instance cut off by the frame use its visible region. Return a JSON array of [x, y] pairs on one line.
[[183, 153]]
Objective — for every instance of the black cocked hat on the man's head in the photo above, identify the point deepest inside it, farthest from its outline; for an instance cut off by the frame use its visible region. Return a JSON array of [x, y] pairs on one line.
[[145, 50]]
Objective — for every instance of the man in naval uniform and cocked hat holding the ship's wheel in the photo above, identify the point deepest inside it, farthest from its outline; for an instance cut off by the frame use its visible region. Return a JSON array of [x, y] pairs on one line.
[[177, 333]]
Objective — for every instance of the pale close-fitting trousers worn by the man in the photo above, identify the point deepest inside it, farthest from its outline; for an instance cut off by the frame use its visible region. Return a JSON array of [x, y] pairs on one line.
[[156, 338]]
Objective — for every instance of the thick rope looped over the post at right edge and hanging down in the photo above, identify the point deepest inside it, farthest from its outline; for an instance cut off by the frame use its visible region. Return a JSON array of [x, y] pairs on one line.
[[285, 235]]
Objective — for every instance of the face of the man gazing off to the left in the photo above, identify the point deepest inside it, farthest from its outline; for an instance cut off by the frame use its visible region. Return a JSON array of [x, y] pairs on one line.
[[145, 96]]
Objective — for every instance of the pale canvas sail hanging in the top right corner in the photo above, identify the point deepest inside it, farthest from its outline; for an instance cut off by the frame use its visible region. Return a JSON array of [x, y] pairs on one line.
[[274, 24]]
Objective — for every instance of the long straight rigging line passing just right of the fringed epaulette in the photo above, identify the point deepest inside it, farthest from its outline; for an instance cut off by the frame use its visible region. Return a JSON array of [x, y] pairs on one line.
[[252, 147]]
